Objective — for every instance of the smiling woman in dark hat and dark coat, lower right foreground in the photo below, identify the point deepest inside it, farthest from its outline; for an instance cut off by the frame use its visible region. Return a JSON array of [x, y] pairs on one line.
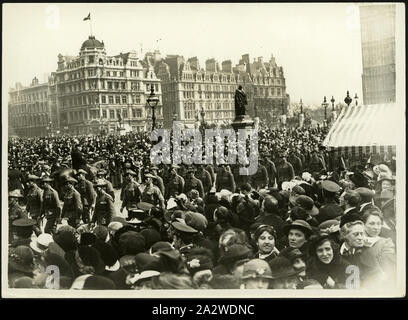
[[325, 264]]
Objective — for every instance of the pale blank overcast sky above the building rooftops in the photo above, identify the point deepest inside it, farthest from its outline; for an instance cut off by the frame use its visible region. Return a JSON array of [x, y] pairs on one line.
[[318, 45]]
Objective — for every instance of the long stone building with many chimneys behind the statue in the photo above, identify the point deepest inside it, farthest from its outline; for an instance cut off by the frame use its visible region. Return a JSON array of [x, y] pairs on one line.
[[191, 92]]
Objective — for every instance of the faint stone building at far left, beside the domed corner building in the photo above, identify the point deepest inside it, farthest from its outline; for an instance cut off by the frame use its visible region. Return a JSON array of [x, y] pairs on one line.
[[29, 109]]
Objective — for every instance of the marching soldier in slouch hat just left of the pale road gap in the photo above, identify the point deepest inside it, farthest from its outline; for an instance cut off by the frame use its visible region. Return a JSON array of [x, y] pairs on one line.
[[104, 208]]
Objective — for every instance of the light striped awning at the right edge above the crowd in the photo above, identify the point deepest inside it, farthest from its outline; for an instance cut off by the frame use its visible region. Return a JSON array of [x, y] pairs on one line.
[[365, 129]]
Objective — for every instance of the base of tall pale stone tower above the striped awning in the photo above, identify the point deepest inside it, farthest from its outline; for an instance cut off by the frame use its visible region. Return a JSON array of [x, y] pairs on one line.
[[378, 51]]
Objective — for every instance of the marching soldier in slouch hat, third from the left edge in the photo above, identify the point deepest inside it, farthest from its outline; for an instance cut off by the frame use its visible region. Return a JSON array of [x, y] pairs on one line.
[[51, 208]]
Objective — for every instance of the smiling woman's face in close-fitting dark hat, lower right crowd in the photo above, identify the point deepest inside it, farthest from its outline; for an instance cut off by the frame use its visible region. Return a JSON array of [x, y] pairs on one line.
[[265, 237]]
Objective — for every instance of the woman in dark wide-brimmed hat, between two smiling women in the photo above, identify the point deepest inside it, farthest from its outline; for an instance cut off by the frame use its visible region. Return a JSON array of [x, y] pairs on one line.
[[298, 233]]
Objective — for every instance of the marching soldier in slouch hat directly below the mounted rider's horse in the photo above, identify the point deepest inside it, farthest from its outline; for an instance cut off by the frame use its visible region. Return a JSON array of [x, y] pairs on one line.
[[72, 209]]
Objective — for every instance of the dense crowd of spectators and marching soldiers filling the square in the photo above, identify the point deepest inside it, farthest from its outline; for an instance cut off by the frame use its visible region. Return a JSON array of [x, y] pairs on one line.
[[99, 211]]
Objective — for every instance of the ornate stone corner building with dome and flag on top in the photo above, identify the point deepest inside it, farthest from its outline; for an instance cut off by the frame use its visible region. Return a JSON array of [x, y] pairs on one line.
[[100, 92]]
